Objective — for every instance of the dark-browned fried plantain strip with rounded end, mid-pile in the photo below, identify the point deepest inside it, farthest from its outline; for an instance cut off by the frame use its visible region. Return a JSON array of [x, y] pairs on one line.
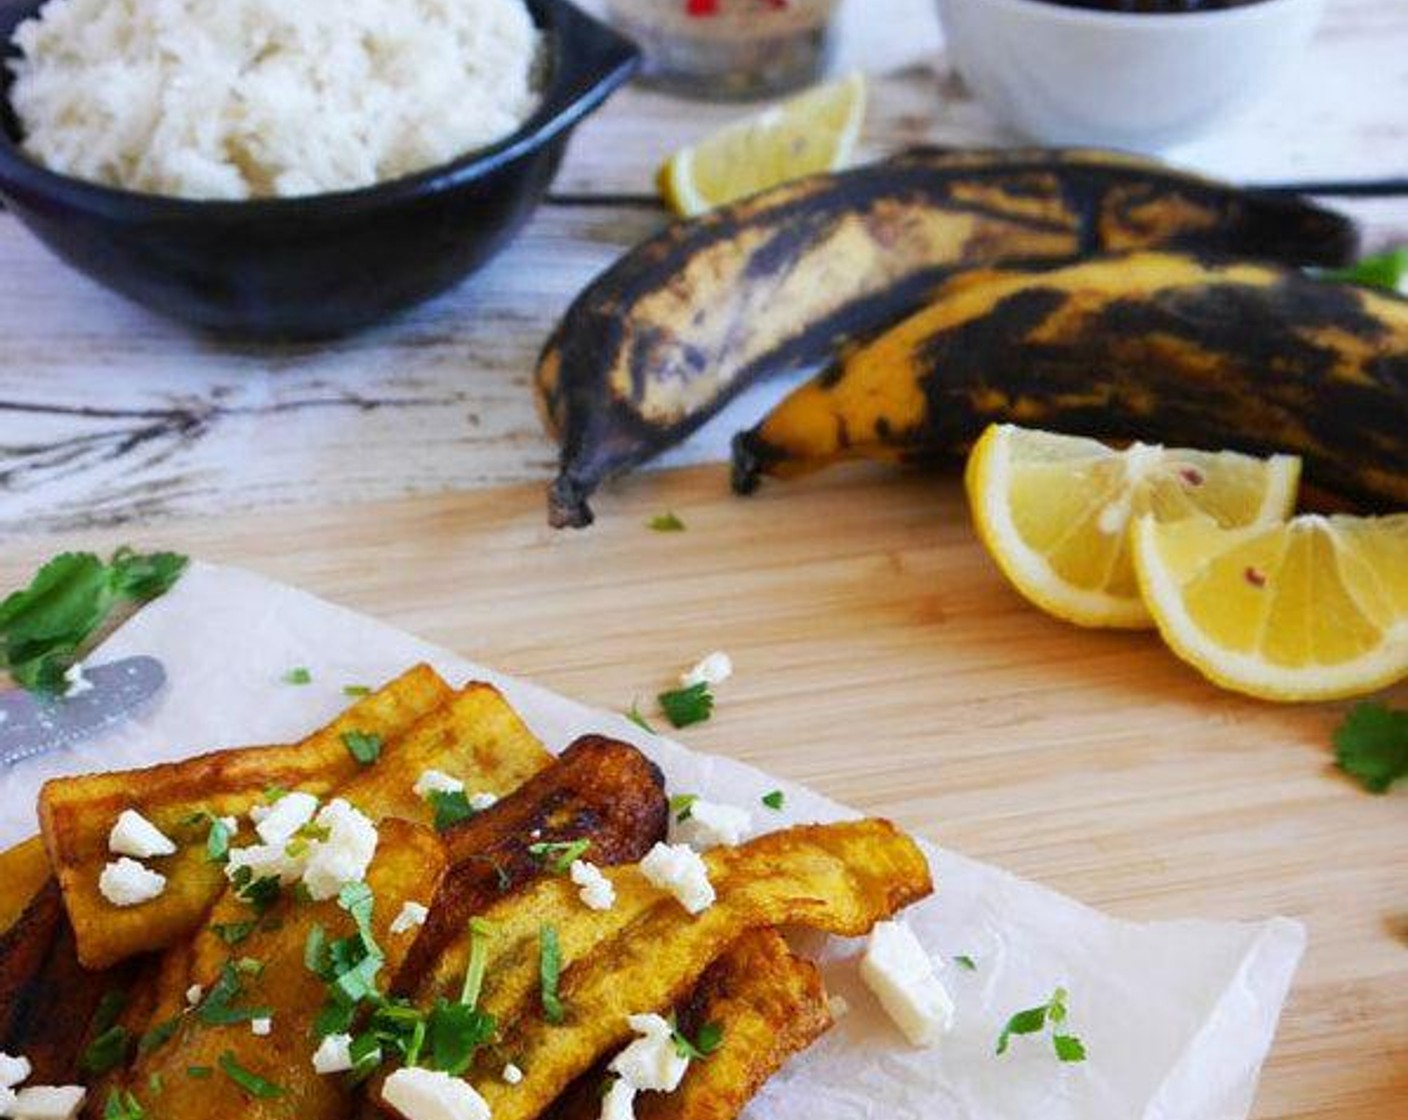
[[601, 790]]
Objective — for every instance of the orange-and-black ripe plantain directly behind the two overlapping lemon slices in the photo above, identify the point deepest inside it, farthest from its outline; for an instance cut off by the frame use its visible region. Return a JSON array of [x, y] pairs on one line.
[[1155, 347]]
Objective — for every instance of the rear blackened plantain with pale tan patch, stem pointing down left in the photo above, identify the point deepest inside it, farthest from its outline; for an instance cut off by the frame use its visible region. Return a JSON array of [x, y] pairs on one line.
[[665, 337]]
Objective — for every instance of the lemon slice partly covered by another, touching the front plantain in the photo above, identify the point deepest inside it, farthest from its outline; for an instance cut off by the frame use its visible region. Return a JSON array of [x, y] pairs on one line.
[[1055, 512]]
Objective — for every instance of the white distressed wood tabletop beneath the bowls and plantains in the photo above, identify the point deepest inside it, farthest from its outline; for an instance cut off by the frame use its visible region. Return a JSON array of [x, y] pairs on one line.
[[112, 416]]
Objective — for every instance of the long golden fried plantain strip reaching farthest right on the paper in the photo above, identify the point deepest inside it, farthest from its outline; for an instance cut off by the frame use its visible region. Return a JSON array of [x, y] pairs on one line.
[[647, 952]]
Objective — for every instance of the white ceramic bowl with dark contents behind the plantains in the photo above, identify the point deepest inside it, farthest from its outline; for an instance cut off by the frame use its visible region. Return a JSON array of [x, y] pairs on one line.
[[1069, 77]]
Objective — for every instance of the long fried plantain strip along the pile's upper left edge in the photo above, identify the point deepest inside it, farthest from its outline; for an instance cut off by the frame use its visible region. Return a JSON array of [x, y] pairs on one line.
[[78, 814]]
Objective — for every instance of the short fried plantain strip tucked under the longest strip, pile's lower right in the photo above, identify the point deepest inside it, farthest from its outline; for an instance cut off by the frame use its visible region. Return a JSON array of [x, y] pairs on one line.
[[768, 1005]]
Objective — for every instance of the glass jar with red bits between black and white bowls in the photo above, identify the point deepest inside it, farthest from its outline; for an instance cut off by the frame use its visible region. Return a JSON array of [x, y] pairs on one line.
[[730, 50]]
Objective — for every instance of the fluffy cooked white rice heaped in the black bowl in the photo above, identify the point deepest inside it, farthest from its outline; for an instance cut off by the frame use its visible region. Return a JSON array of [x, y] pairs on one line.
[[237, 99]]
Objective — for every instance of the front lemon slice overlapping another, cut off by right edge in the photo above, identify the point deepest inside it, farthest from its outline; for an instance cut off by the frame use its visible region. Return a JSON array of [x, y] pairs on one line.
[[1316, 609]]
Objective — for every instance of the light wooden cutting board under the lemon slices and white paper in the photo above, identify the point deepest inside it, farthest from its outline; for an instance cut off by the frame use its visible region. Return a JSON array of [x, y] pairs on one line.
[[882, 660]]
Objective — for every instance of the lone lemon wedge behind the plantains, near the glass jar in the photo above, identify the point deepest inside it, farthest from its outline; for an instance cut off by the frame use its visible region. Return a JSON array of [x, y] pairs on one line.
[[810, 133]]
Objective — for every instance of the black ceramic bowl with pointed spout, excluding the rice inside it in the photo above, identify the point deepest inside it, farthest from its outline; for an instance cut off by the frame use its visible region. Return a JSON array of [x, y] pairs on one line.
[[325, 264]]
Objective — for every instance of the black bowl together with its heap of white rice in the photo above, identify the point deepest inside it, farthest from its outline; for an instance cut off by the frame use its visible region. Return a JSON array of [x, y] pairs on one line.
[[291, 170]]
